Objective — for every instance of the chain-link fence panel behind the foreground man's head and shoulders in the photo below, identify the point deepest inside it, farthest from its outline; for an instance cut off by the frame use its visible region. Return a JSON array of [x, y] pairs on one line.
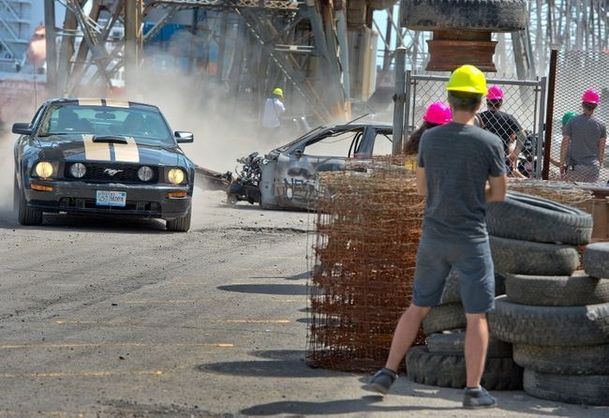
[[524, 100]]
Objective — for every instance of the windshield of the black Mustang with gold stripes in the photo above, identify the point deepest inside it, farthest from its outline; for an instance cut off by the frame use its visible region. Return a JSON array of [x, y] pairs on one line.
[[146, 126]]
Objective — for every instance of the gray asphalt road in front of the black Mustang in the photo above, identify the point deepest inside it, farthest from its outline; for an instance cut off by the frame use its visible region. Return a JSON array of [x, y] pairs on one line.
[[104, 317]]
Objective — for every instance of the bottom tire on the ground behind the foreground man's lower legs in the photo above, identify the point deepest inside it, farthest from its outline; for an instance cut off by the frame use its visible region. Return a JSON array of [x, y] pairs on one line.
[[449, 371]]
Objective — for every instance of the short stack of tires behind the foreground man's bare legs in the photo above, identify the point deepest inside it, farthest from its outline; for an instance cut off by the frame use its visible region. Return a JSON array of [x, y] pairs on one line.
[[441, 361]]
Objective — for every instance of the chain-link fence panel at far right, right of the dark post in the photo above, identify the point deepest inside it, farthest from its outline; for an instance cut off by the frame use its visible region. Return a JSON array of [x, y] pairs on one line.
[[577, 71]]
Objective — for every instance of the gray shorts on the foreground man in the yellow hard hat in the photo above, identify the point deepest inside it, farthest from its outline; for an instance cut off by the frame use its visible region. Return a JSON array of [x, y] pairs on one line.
[[472, 263]]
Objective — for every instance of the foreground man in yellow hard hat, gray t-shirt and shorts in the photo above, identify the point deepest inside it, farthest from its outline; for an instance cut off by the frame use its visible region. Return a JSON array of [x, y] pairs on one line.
[[461, 168]]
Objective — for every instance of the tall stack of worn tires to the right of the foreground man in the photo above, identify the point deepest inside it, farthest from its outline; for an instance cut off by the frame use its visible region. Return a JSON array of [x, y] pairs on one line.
[[556, 319]]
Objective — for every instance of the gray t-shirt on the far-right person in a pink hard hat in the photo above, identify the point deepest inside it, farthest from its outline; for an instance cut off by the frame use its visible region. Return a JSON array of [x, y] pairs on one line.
[[585, 132]]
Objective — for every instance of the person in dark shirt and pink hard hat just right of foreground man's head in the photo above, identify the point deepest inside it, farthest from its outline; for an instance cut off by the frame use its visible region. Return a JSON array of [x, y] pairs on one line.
[[505, 126]]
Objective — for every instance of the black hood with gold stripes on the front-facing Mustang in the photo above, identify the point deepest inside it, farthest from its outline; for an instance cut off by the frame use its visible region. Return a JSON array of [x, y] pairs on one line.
[[81, 148]]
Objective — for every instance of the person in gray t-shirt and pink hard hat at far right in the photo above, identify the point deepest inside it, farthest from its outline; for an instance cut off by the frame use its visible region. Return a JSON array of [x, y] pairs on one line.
[[582, 150]]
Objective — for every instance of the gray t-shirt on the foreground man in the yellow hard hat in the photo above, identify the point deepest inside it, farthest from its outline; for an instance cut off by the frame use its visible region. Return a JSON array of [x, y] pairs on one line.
[[458, 159]]
